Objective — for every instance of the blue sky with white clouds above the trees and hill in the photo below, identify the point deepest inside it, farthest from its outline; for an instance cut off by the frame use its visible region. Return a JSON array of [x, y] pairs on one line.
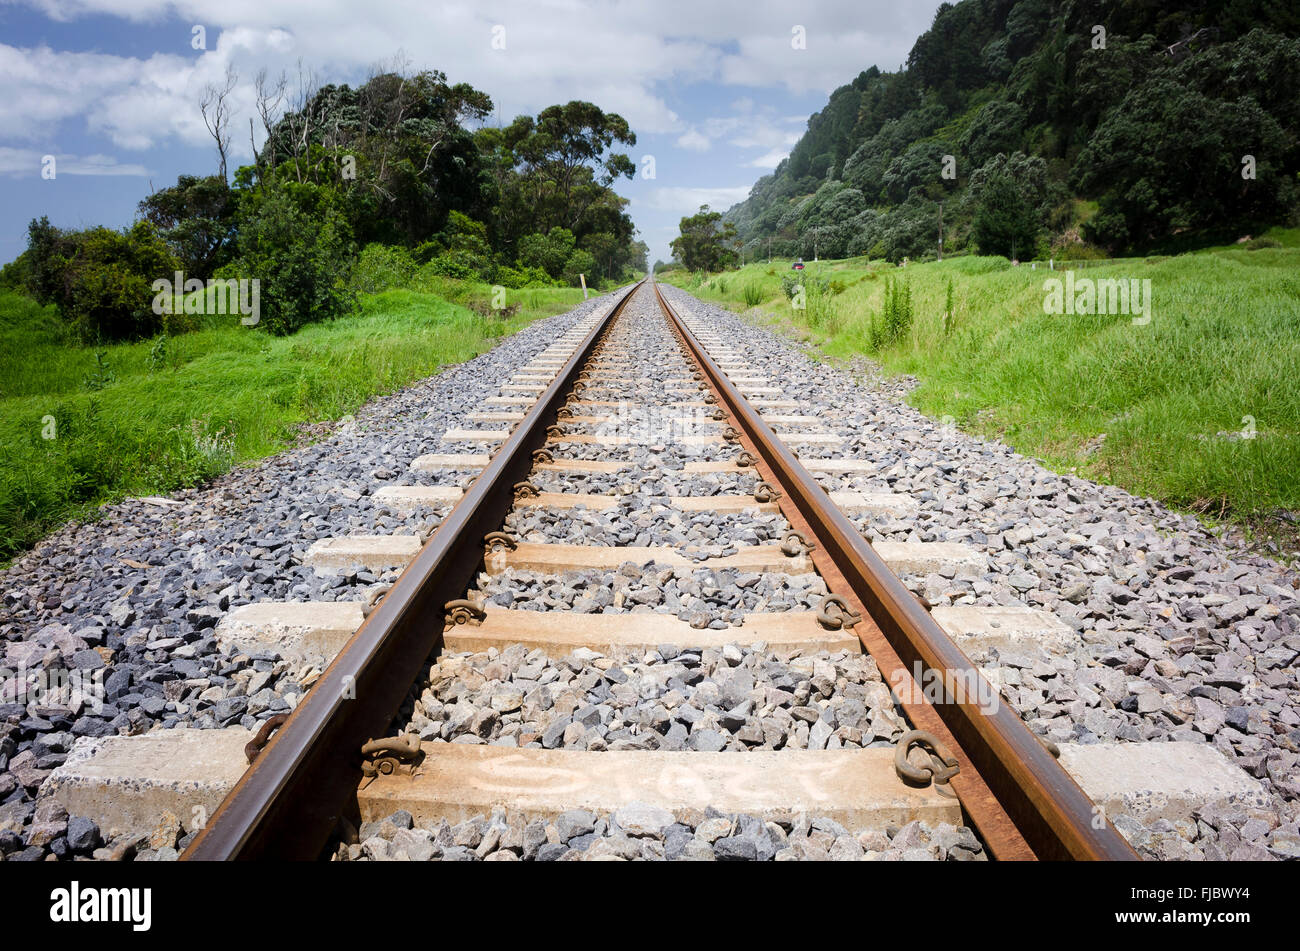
[[716, 90]]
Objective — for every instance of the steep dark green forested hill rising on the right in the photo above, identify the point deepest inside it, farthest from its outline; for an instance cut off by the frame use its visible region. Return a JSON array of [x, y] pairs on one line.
[[1051, 127]]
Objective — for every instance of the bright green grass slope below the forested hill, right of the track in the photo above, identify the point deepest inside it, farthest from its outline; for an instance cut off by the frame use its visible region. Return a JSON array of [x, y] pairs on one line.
[[1224, 345]]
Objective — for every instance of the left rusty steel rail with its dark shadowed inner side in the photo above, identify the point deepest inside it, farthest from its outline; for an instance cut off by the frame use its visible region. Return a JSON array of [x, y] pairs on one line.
[[291, 801]]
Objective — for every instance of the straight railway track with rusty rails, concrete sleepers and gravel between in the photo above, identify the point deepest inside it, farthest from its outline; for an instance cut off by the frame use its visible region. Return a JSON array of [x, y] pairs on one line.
[[634, 527]]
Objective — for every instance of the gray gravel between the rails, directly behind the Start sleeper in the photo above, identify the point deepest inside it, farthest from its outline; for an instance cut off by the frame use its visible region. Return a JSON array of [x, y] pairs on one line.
[[673, 698]]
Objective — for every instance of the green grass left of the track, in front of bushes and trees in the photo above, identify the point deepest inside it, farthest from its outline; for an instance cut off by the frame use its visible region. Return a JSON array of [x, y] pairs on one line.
[[148, 418]]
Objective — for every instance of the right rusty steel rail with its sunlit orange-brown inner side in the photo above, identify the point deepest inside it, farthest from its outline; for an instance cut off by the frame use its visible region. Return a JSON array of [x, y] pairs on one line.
[[1025, 805]]
